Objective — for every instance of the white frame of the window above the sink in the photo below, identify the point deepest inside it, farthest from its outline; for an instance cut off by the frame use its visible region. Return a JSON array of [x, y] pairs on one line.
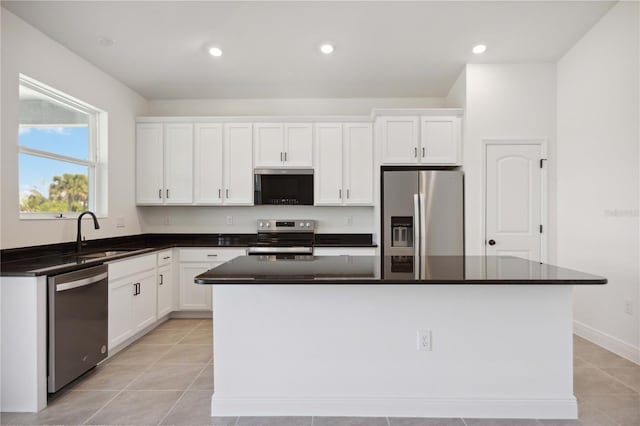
[[97, 152]]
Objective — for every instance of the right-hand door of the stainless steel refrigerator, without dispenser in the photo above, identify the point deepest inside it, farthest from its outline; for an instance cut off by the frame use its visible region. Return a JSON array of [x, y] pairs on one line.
[[442, 213]]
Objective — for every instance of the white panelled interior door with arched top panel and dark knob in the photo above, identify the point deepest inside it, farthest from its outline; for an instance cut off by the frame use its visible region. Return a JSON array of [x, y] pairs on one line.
[[513, 200]]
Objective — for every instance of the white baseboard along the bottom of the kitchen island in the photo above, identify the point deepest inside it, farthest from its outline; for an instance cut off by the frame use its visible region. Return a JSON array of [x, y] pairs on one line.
[[565, 408]]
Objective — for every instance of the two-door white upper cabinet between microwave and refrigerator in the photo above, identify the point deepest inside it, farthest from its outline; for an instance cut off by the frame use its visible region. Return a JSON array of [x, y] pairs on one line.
[[344, 164]]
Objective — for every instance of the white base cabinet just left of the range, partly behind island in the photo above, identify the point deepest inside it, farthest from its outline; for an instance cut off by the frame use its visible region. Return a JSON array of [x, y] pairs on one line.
[[193, 262]]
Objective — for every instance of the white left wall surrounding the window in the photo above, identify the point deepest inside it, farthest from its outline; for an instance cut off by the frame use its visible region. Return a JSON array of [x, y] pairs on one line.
[[28, 51]]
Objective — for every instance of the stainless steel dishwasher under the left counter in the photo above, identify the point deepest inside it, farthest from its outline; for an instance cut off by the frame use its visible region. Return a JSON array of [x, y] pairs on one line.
[[78, 324]]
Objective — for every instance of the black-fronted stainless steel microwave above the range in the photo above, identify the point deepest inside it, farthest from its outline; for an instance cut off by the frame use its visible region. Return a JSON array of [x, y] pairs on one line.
[[286, 187]]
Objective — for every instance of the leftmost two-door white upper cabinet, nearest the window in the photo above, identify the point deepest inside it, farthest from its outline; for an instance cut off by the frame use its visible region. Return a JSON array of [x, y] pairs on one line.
[[164, 163]]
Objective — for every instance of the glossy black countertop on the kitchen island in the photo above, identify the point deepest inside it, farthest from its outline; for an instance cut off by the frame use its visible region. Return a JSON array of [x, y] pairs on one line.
[[366, 270]]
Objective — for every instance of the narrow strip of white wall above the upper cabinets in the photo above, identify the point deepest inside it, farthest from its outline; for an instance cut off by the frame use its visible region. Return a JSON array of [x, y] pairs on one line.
[[302, 106]]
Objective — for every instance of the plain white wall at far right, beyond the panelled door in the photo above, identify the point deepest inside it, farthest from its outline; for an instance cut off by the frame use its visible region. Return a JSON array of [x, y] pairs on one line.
[[598, 179]]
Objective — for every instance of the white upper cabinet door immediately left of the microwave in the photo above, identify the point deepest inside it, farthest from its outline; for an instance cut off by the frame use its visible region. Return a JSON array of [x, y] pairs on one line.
[[238, 165]]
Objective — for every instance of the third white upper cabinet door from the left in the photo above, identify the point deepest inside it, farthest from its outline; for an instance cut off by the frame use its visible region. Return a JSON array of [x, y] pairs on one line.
[[208, 161]]
